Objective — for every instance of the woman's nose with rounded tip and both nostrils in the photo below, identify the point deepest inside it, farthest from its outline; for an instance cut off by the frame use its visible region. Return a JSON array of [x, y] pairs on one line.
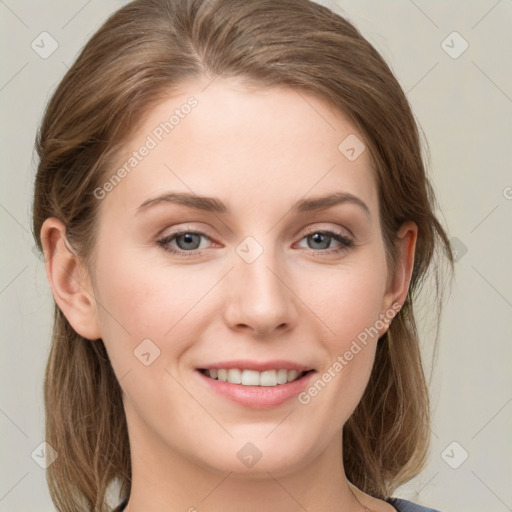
[[260, 300]]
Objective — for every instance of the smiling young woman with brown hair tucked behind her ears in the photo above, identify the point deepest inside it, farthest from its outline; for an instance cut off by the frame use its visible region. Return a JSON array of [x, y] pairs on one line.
[[273, 364]]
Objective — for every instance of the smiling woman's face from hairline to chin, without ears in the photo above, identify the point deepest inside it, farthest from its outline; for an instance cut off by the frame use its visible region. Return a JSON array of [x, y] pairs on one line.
[[261, 276]]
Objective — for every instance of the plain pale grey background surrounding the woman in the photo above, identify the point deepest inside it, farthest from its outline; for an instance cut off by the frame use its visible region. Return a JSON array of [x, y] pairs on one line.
[[464, 106]]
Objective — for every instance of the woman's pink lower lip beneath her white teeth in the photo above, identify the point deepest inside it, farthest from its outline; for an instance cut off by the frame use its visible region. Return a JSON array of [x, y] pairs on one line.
[[258, 397]]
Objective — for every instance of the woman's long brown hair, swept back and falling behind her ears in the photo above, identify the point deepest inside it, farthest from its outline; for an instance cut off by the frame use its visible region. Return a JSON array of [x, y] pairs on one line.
[[132, 62]]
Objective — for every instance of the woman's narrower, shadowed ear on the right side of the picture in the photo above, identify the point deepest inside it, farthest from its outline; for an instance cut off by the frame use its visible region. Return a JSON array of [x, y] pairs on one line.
[[398, 285]]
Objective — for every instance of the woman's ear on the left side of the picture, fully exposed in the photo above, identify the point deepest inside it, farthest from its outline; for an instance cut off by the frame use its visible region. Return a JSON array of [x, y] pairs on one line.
[[69, 280]]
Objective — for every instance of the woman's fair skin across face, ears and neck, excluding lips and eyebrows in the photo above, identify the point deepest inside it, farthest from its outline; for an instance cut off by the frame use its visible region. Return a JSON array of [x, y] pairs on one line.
[[259, 152]]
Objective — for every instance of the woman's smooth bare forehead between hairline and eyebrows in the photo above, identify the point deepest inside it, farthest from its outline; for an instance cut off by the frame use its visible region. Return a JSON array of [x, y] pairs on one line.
[[244, 146]]
